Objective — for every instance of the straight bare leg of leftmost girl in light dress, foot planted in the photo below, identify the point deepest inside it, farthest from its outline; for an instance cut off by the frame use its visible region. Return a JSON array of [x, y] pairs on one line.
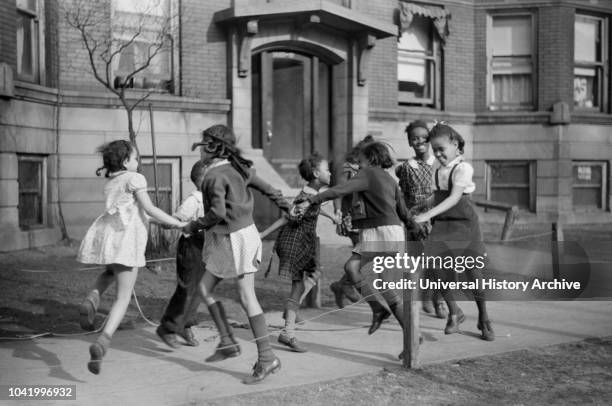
[[126, 279]]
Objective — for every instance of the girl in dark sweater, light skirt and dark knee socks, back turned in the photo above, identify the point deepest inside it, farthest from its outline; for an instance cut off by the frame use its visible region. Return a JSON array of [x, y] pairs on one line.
[[232, 247]]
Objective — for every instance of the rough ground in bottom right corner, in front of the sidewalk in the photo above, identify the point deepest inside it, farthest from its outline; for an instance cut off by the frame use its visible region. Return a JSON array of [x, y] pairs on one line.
[[567, 374]]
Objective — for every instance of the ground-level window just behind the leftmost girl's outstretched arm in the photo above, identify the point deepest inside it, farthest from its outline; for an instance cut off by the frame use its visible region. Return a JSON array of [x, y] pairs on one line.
[[168, 181]]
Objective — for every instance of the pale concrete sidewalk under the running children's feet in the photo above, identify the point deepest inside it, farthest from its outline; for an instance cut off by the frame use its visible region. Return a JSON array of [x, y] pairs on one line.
[[140, 369]]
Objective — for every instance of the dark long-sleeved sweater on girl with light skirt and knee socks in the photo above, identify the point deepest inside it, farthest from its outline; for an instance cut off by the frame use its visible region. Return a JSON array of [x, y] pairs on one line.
[[228, 203]]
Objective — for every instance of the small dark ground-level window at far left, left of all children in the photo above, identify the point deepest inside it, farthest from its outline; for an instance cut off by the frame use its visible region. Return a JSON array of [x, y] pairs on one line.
[[32, 178]]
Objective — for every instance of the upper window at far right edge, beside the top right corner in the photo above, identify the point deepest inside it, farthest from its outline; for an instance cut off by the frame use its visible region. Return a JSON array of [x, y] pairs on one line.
[[590, 72]]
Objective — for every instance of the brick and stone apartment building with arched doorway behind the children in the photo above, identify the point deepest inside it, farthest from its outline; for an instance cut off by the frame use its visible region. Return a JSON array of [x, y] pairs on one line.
[[526, 83]]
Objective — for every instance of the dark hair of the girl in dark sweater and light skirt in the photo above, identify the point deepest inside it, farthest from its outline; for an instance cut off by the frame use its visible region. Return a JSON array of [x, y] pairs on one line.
[[220, 141]]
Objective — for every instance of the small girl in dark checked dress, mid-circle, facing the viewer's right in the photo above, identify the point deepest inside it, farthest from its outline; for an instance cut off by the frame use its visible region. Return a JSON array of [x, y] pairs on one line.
[[297, 246]]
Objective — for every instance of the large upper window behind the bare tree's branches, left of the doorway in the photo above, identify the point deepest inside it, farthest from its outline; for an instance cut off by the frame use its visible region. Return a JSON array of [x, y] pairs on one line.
[[144, 30]]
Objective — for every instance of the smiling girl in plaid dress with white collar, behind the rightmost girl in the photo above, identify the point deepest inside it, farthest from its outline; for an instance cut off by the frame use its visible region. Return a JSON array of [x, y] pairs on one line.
[[416, 181]]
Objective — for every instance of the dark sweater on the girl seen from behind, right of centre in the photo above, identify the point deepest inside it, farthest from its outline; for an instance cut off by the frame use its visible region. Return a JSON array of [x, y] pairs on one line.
[[381, 196]]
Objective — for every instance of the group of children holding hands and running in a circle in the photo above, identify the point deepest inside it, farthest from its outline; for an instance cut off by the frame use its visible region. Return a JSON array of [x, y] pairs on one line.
[[220, 241]]
